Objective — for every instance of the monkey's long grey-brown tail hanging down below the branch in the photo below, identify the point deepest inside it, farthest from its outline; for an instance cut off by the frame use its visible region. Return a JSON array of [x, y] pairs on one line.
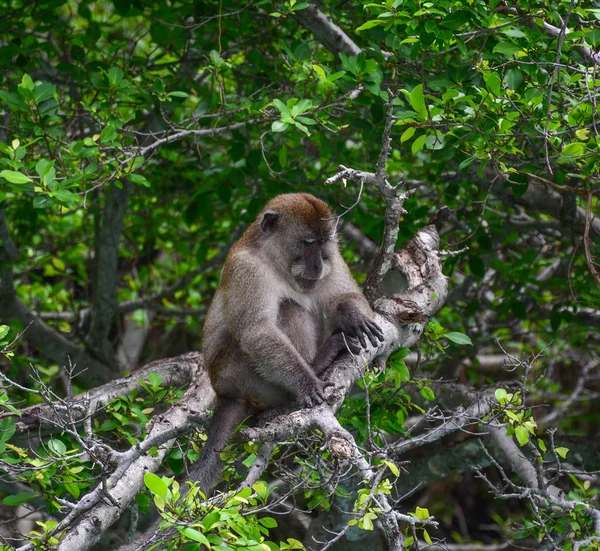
[[227, 416]]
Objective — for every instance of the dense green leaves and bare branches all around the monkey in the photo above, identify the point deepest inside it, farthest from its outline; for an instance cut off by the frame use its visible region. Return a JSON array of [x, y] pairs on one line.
[[138, 139]]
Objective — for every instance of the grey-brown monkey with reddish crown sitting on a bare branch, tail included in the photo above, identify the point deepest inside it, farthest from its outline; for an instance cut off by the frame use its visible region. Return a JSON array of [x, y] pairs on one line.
[[285, 307]]
